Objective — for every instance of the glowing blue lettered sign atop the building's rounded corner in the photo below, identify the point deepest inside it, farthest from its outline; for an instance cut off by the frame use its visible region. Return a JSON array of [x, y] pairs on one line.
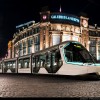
[[64, 18]]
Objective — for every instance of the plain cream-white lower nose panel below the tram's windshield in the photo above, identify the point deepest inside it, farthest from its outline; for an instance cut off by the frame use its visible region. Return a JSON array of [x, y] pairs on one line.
[[69, 69]]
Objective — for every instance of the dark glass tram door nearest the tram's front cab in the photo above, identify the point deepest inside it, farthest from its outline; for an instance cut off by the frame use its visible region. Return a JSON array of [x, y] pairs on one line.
[[53, 61]]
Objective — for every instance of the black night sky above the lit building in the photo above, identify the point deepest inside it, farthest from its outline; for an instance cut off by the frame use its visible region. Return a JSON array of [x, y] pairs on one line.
[[15, 12]]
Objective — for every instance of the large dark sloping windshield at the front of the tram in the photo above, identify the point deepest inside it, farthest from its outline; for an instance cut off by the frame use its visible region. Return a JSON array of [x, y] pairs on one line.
[[75, 52]]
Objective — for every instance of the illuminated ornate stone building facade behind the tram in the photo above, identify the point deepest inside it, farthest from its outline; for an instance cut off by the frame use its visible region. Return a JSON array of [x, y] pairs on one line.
[[53, 29]]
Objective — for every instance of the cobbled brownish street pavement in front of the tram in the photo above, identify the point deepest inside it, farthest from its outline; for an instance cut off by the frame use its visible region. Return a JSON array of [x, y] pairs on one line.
[[27, 85]]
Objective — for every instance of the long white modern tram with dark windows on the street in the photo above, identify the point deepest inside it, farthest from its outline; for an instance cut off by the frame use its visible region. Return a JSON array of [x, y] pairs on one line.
[[67, 58]]
